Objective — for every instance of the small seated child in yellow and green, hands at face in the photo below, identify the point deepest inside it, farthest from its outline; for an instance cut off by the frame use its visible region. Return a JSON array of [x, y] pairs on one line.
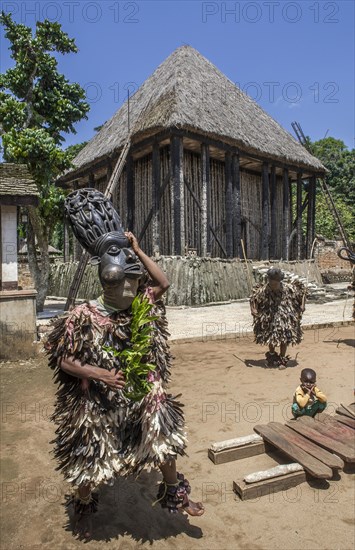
[[308, 399]]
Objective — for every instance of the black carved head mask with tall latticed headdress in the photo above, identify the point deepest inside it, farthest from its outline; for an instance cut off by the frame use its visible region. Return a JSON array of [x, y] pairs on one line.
[[98, 228]]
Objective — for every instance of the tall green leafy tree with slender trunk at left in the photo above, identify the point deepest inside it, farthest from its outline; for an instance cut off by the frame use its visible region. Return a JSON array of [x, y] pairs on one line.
[[37, 105]]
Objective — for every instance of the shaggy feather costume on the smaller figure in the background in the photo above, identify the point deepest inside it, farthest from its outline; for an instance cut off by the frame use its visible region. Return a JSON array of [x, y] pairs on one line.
[[279, 313]]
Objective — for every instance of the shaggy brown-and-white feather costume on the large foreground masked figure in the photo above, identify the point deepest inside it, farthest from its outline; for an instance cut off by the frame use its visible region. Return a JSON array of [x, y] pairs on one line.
[[101, 433]]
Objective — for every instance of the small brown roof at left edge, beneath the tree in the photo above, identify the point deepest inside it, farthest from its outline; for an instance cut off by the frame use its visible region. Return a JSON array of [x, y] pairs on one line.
[[17, 186]]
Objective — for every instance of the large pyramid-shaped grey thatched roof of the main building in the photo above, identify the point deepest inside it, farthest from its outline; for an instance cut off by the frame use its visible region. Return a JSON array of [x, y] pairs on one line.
[[188, 92]]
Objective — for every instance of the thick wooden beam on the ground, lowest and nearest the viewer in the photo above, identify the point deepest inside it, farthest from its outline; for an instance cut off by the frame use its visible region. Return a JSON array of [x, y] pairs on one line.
[[247, 491]]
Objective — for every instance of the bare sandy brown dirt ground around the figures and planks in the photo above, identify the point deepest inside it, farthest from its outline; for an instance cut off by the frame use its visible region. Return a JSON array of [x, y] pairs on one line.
[[226, 392]]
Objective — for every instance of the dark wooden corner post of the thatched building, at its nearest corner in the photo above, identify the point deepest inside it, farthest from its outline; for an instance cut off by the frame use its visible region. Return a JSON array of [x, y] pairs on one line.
[[178, 206]]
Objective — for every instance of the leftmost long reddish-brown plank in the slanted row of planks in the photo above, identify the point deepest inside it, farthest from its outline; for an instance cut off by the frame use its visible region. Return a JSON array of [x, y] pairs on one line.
[[314, 466]]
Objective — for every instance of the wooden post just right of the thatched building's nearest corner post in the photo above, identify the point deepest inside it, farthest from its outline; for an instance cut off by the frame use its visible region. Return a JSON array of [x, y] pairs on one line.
[[205, 201]]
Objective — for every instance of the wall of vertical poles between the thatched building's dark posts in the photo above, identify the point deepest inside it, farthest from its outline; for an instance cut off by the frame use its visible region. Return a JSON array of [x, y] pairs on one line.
[[142, 181]]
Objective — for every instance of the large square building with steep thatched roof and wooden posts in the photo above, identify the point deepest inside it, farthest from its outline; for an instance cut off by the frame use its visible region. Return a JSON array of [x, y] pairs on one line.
[[207, 166]]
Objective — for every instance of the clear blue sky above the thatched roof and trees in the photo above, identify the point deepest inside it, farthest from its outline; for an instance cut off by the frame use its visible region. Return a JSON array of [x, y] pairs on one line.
[[296, 59]]
